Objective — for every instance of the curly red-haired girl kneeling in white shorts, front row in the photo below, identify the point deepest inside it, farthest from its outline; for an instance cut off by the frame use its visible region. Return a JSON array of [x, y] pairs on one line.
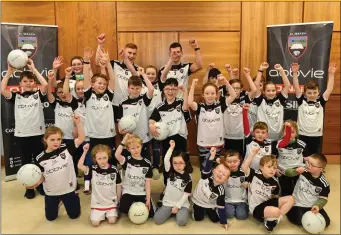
[[105, 183]]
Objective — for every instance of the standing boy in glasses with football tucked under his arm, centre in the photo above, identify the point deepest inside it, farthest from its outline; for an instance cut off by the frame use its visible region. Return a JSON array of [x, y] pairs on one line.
[[174, 112]]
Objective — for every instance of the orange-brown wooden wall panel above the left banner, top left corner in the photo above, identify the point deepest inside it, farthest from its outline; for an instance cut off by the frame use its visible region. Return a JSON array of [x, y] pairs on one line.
[[28, 13]]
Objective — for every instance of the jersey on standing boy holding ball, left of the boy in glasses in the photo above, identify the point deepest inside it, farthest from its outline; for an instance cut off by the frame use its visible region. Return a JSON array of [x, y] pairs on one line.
[[138, 108]]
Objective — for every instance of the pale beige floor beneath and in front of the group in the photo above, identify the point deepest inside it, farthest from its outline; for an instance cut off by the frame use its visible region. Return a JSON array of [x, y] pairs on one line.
[[20, 215]]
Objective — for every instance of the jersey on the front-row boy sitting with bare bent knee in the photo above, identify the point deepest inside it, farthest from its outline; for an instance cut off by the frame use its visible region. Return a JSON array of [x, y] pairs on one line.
[[260, 189]]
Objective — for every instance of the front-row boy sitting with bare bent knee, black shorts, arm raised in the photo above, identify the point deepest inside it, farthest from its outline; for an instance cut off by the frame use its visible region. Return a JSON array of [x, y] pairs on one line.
[[263, 192]]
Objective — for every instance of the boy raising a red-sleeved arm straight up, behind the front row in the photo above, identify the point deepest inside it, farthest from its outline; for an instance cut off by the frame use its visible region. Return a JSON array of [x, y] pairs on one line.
[[257, 138]]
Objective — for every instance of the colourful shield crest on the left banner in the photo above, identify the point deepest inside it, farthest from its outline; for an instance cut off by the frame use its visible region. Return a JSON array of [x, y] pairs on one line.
[[28, 43]]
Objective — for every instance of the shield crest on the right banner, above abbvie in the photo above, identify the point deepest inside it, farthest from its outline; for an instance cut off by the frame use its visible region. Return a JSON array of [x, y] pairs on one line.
[[297, 44]]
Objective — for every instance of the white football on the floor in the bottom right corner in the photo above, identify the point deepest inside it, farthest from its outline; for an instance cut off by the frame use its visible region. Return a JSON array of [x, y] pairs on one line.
[[313, 223]]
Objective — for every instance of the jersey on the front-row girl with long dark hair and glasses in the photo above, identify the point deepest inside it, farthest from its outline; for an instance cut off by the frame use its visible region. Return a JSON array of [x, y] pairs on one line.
[[175, 189]]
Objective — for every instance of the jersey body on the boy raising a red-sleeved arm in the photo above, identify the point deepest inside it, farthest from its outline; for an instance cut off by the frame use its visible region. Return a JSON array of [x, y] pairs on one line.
[[267, 147]]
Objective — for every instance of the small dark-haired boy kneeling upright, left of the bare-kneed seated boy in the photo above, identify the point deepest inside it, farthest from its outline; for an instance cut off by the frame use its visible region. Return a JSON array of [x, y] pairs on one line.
[[235, 188]]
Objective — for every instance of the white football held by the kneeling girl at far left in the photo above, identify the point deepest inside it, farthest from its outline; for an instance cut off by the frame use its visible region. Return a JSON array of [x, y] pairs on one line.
[[29, 174]]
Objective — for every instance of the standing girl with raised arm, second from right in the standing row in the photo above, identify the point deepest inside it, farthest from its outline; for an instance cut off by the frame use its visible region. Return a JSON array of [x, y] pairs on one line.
[[271, 104]]
